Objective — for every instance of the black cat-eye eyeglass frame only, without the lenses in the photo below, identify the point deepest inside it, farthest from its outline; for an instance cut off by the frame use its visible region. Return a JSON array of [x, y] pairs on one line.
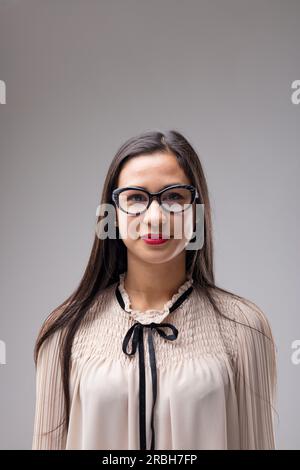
[[116, 192]]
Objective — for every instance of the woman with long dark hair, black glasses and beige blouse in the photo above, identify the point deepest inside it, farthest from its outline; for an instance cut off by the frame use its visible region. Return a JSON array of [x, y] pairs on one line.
[[148, 352]]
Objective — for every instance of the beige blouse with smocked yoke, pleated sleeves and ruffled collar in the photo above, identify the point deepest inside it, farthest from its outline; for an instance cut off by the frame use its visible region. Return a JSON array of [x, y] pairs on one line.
[[182, 377]]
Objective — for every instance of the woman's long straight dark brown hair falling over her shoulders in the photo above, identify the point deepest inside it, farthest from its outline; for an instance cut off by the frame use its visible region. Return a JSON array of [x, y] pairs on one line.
[[108, 256]]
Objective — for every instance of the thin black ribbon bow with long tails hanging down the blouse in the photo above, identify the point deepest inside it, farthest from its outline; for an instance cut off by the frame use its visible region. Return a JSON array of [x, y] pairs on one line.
[[136, 332]]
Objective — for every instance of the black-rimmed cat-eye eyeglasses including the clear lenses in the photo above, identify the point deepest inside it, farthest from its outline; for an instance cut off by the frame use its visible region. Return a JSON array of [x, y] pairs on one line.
[[175, 198]]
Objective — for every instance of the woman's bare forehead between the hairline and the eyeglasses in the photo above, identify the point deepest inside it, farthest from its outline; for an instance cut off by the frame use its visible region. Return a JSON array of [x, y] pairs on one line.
[[152, 171]]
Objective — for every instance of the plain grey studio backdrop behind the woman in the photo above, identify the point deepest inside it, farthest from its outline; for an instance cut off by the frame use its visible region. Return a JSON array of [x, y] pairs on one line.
[[83, 76]]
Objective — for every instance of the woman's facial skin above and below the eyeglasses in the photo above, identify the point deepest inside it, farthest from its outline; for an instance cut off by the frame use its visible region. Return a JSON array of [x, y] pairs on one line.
[[153, 172]]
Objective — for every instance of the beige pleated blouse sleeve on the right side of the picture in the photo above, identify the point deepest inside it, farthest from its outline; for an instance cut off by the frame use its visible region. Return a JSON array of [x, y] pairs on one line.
[[256, 377]]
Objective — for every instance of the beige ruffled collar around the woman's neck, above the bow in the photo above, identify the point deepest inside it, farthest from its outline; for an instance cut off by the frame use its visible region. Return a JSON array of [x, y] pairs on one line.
[[151, 315]]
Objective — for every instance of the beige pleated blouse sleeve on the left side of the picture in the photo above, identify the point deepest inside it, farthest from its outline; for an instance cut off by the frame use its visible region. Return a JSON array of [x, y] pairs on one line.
[[49, 407]]
